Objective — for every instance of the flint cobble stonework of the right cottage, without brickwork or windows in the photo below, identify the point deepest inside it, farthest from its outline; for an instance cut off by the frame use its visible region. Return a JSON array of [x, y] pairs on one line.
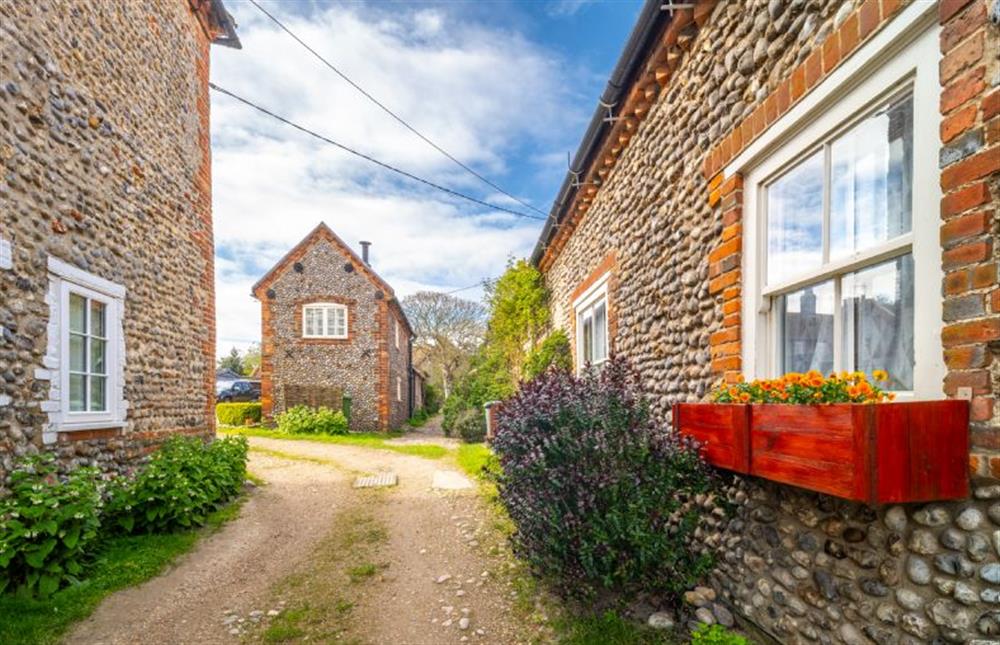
[[803, 567]]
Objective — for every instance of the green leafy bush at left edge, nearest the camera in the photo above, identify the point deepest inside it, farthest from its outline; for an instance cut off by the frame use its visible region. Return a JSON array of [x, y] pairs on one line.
[[46, 525]]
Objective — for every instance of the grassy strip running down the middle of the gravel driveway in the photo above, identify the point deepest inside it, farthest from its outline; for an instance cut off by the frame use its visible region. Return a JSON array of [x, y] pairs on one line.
[[320, 600]]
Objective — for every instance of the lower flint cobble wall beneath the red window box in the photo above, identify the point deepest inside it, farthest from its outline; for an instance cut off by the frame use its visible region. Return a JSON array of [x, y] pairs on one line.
[[901, 574]]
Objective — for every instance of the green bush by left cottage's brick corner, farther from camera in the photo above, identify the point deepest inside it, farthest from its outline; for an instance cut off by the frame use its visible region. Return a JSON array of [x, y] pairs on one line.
[[183, 482]]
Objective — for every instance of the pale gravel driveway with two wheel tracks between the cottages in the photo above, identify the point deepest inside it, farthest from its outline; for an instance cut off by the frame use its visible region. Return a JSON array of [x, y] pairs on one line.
[[439, 584]]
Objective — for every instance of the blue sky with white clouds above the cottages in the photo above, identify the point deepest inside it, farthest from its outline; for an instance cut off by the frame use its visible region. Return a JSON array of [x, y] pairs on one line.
[[505, 86]]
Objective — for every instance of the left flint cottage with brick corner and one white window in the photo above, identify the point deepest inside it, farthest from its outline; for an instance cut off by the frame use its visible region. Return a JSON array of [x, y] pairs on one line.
[[107, 319]]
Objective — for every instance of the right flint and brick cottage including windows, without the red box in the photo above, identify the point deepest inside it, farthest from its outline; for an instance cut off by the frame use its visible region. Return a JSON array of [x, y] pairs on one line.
[[806, 184]]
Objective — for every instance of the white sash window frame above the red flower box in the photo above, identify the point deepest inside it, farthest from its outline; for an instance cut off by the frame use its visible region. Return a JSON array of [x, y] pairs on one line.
[[903, 57]]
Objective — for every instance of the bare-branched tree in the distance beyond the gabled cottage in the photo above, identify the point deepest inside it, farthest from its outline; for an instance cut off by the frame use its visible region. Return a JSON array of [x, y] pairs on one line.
[[448, 331]]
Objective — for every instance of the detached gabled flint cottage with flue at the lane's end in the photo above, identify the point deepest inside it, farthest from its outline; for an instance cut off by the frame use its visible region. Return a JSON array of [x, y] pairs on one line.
[[330, 327]]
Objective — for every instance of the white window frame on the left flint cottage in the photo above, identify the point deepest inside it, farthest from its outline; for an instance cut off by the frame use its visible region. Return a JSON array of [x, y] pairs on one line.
[[68, 280]]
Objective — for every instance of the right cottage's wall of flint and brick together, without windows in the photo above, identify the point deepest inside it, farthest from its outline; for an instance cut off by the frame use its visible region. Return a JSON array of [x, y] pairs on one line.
[[803, 567]]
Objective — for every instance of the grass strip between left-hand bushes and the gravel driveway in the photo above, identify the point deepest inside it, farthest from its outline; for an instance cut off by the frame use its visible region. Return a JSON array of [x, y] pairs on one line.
[[122, 562]]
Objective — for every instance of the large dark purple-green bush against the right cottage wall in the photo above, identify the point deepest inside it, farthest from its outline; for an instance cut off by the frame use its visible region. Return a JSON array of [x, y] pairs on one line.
[[595, 488]]
